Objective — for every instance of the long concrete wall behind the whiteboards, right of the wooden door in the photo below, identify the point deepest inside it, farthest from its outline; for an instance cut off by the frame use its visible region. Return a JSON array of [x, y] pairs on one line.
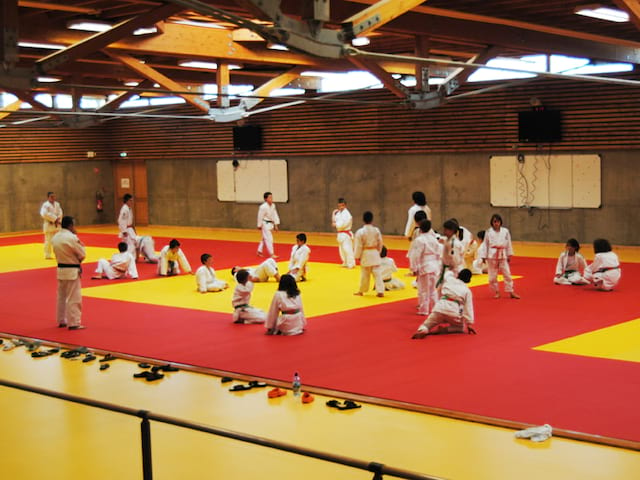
[[183, 192]]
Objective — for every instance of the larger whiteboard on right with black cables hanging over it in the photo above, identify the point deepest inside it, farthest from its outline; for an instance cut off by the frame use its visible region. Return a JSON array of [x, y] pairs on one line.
[[545, 181]]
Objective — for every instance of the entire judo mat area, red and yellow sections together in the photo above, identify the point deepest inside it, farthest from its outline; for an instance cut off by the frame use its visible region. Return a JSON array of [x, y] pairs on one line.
[[560, 355]]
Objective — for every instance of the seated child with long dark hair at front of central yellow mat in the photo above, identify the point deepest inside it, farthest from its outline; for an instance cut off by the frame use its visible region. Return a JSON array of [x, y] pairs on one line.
[[286, 315]]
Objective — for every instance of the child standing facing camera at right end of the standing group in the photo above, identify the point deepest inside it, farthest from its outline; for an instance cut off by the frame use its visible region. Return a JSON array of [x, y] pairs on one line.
[[497, 251]]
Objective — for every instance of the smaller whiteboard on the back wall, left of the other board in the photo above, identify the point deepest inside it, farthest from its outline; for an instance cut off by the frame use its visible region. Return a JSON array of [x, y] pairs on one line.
[[251, 179]]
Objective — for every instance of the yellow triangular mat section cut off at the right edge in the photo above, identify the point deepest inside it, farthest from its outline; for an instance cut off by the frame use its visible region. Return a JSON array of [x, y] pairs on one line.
[[619, 342]]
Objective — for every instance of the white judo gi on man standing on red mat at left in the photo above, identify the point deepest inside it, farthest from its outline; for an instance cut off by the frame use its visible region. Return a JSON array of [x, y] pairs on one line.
[[70, 253]]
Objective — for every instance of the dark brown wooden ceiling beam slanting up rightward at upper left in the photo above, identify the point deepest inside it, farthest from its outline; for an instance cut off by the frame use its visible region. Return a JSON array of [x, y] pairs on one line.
[[103, 39]]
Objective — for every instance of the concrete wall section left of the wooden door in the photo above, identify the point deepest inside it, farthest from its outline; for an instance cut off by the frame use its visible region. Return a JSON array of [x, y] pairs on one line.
[[24, 187]]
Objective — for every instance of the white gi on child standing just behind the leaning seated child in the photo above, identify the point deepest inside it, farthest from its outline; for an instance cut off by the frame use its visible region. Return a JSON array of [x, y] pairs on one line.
[[426, 264]]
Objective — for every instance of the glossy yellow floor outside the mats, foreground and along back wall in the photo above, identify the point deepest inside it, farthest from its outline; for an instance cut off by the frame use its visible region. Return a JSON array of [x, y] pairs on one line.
[[50, 438]]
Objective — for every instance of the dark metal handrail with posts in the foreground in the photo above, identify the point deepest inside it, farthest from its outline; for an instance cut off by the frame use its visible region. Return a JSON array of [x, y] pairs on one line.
[[378, 469]]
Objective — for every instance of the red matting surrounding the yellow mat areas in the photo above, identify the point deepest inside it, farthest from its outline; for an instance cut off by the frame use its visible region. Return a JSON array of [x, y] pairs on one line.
[[369, 351]]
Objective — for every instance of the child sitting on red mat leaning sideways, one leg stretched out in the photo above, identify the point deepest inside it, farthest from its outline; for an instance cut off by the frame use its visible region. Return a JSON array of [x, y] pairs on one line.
[[453, 313]]
